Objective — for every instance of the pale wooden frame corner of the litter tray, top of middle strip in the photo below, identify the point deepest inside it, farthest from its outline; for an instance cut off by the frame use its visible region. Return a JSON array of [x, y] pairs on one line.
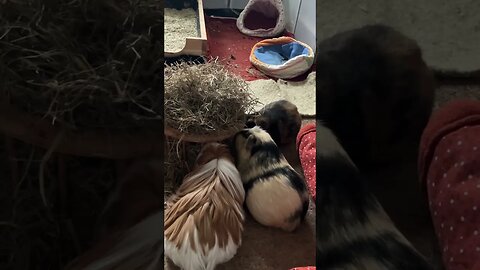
[[195, 45]]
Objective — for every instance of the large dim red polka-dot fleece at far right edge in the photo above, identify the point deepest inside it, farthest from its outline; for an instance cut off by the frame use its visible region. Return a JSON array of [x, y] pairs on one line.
[[449, 165]]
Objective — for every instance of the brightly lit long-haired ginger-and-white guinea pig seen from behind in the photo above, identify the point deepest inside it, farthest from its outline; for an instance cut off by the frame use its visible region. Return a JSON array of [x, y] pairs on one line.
[[204, 218]]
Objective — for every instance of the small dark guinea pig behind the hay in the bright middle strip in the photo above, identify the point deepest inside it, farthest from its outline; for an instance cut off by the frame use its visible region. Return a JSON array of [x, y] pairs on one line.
[[280, 119]]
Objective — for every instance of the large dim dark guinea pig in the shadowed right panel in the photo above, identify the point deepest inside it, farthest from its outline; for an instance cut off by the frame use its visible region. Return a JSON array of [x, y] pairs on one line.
[[375, 91]]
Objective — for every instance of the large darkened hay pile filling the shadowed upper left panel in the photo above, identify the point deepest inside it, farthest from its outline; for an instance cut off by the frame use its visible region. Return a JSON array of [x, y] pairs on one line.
[[85, 63]]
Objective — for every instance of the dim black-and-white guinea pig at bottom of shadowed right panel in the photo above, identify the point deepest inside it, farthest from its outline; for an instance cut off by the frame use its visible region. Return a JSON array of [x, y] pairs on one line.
[[353, 230]]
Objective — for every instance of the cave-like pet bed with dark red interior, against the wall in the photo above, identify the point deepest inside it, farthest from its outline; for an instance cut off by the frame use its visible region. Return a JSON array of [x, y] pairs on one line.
[[262, 18]]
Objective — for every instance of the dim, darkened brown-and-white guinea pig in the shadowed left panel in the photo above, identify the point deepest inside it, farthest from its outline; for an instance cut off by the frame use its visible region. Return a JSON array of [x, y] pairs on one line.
[[131, 223]]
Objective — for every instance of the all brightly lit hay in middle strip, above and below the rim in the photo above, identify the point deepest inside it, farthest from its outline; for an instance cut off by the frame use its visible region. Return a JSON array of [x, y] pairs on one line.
[[200, 100]]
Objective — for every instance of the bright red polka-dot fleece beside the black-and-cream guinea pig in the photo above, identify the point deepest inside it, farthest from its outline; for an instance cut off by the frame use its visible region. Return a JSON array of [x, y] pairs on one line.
[[306, 146]]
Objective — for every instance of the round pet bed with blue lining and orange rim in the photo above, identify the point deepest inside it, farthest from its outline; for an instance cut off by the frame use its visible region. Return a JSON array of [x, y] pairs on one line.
[[282, 57]]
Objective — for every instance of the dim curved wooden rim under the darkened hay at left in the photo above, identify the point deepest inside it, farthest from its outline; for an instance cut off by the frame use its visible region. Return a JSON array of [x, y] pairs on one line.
[[112, 144]]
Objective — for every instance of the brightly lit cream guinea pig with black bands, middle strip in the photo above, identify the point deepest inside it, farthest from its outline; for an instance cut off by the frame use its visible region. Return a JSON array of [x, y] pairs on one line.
[[276, 195]]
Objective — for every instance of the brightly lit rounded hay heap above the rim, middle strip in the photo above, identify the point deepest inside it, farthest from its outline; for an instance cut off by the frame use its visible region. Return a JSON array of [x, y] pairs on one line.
[[205, 99]]
